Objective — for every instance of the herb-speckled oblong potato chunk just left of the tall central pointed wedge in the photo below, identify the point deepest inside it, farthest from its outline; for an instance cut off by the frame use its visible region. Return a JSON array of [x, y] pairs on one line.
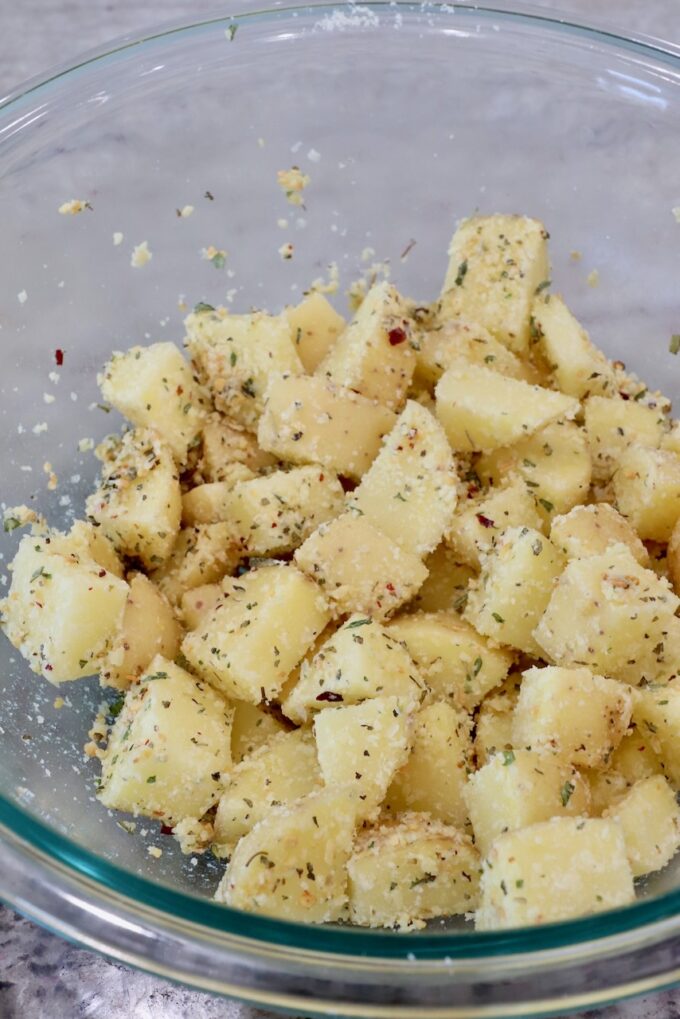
[[277, 513]]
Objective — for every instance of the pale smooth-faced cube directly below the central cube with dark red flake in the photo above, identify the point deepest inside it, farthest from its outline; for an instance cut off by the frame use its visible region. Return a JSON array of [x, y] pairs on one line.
[[363, 745]]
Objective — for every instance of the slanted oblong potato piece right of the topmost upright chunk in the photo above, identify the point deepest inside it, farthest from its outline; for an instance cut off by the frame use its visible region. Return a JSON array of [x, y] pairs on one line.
[[579, 367]]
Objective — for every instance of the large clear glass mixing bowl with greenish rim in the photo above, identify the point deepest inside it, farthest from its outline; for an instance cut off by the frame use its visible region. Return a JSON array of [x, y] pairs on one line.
[[406, 117]]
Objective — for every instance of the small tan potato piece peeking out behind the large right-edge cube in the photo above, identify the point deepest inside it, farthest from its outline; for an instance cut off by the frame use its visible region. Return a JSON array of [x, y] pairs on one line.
[[592, 530]]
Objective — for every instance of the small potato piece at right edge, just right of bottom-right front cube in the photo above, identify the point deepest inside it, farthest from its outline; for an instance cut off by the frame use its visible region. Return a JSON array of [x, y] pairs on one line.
[[650, 819]]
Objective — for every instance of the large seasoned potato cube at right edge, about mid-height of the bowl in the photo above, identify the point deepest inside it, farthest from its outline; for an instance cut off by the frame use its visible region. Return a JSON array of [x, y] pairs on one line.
[[610, 614]]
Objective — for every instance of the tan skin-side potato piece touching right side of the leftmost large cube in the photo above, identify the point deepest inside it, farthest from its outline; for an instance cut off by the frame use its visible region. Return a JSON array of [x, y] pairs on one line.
[[149, 628]]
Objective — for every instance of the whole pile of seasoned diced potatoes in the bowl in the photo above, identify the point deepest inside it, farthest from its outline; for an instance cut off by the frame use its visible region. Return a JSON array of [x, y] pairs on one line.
[[392, 603]]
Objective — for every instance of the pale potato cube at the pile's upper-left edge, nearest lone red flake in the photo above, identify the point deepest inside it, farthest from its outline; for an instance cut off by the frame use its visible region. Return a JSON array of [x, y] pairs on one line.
[[154, 388]]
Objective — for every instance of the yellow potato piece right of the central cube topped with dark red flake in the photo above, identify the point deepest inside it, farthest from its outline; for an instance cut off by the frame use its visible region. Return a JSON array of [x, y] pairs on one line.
[[457, 664]]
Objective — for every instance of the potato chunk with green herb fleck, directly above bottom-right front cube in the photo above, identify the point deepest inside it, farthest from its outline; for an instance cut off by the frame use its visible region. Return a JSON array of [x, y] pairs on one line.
[[519, 788]]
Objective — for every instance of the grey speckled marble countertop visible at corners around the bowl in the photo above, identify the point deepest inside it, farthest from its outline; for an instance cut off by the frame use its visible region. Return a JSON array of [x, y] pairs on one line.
[[42, 977]]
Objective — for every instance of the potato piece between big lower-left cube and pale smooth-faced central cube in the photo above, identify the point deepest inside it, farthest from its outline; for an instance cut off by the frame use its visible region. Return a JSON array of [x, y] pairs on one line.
[[279, 773]]
